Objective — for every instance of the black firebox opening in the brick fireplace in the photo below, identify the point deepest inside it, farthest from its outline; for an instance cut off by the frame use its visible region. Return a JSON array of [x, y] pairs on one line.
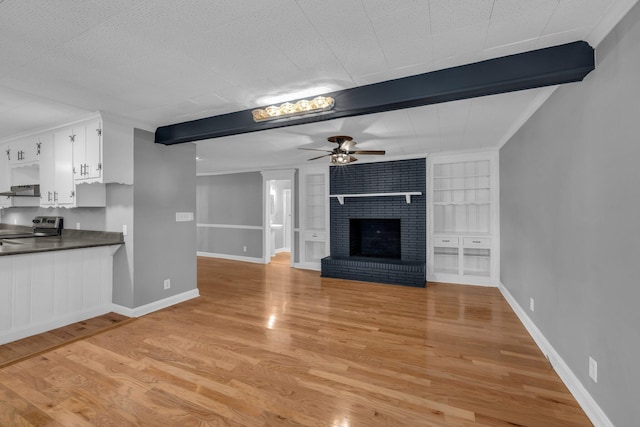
[[375, 238]]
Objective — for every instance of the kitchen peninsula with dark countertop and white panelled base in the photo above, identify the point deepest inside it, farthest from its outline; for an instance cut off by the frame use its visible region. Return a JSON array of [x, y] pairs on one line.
[[52, 281]]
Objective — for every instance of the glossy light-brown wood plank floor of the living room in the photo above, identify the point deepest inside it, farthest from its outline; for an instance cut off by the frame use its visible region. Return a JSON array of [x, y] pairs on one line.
[[275, 346]]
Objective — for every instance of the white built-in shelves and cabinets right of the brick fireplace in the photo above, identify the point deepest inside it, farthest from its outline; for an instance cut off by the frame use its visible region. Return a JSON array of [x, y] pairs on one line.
[[463, 236]]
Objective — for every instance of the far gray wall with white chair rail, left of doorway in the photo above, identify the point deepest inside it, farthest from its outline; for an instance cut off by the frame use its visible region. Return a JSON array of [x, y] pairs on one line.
[[232, 199]]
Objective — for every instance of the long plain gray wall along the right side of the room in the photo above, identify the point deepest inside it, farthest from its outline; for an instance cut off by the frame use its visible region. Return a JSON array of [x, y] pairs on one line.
[[570, 222]]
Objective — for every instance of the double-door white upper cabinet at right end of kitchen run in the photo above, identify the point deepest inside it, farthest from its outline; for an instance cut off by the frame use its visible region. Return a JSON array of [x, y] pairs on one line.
[[87, 152]]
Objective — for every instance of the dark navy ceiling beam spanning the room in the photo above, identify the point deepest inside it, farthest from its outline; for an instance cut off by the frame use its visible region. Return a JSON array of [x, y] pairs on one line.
[[544, 67]]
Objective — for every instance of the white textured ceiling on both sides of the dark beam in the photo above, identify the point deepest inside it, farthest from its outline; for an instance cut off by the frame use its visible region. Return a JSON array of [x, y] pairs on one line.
[[167, 61]]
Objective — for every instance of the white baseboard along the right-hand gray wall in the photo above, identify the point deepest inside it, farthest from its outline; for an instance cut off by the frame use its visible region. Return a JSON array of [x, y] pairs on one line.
[[588, 404]]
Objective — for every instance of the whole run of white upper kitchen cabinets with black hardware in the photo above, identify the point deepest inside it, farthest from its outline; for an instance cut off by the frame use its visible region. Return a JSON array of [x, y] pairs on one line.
[[68, 163]]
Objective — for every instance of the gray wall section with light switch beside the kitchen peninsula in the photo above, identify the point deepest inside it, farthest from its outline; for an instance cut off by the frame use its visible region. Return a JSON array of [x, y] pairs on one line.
[[164, 183]]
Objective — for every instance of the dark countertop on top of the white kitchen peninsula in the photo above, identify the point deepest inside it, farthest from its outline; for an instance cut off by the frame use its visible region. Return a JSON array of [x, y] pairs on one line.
[[70, 239]]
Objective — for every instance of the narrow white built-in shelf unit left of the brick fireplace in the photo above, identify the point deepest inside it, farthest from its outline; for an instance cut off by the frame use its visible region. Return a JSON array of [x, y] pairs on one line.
[[314, 216]]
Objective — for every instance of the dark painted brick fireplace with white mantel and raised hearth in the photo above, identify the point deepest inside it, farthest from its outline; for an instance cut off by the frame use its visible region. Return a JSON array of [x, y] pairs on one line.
[[408, 267]]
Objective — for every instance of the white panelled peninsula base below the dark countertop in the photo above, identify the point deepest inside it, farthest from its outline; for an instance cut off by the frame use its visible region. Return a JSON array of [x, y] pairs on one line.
[[44, 291]]
